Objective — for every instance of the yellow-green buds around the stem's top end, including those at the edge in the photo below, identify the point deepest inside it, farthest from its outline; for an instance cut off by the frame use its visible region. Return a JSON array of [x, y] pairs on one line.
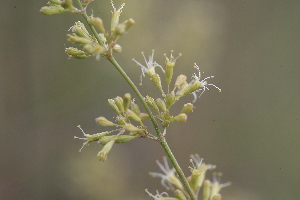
[[100, 44]]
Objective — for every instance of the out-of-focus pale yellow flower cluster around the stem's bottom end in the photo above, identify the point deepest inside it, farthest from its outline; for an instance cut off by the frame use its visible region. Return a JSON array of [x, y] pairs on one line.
[[210, 190]]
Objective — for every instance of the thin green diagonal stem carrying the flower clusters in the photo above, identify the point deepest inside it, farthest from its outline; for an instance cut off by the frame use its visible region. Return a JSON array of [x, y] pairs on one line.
[[162, 139]]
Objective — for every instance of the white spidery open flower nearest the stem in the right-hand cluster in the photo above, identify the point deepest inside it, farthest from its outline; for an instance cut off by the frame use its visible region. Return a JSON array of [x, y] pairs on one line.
[[150, 69]]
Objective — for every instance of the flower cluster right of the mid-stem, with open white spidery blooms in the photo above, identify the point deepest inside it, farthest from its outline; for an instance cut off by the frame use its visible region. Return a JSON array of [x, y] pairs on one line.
[[181, 88]]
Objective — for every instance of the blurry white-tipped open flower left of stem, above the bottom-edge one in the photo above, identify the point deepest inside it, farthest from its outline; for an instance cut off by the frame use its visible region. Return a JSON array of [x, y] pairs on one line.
[[168, 179]]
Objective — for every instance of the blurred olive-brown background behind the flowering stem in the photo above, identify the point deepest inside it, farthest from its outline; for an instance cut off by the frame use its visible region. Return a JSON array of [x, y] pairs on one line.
[[250, 130]]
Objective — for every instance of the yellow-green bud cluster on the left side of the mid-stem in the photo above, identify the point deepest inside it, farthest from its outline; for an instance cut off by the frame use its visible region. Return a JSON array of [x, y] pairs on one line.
[[127, 110]]
